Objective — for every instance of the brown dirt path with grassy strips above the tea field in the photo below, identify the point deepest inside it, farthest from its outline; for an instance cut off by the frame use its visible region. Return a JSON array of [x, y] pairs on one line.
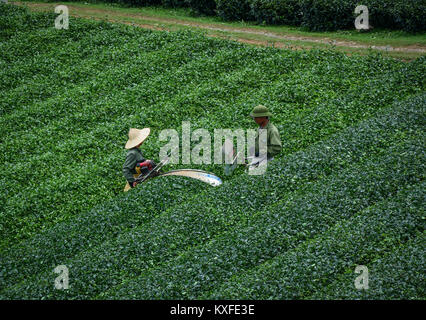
[[117, 16]]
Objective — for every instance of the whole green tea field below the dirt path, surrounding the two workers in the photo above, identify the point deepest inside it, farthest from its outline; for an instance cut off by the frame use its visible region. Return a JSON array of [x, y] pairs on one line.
[[348, 188]]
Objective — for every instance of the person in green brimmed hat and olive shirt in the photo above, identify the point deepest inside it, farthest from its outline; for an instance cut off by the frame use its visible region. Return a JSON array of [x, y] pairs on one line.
[[260, 115]]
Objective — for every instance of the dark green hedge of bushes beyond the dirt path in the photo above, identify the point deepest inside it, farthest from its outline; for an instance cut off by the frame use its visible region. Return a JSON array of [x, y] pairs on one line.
[[318, 15]]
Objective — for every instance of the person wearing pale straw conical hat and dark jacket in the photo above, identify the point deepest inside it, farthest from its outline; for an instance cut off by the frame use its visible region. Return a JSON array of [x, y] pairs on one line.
[[135, 163]]
